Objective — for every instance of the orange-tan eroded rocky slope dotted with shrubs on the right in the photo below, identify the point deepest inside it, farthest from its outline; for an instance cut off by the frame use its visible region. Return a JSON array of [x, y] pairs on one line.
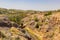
[[49, 26]]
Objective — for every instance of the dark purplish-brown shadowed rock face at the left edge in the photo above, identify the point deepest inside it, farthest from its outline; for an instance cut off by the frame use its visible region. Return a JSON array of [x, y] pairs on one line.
[[7, 23]]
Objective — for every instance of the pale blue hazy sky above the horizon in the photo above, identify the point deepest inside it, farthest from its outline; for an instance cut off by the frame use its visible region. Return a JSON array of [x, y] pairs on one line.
[[30, 4]]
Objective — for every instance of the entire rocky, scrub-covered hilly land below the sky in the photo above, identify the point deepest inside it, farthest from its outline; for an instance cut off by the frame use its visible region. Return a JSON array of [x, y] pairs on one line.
[[29, 24]]
